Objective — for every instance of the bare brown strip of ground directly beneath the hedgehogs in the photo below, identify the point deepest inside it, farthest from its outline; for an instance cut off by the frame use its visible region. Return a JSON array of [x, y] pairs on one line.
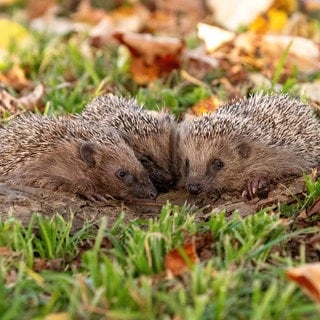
[[22, 202]]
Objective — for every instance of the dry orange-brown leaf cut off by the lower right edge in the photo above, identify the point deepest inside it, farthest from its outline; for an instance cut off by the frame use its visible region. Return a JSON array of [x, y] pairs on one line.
[[308, 278]]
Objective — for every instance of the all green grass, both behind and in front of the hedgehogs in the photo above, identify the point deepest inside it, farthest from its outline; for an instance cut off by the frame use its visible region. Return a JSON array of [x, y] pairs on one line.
[[242, 278]]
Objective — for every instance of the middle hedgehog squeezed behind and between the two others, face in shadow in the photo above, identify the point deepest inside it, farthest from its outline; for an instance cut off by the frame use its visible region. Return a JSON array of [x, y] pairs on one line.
[[150, 134]]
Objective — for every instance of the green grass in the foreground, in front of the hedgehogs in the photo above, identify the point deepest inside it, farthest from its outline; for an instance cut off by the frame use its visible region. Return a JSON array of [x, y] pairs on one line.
[[243, 279]]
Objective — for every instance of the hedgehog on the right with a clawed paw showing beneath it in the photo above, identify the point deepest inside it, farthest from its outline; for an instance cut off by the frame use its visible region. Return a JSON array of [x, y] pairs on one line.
[[248, 144]]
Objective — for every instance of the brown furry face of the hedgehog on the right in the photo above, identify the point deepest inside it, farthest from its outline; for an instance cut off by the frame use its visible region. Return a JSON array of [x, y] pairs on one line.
[[212, 165]]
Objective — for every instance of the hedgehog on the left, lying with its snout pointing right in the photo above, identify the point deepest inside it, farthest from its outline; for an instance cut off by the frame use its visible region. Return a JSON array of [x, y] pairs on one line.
[[69, 155]]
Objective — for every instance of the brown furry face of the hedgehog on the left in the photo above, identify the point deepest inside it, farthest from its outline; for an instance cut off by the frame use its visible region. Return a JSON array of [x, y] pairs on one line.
[[115, 173]]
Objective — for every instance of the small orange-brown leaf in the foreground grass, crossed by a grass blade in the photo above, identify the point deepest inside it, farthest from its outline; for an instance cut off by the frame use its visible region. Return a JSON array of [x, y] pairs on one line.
[[177, 261]]
